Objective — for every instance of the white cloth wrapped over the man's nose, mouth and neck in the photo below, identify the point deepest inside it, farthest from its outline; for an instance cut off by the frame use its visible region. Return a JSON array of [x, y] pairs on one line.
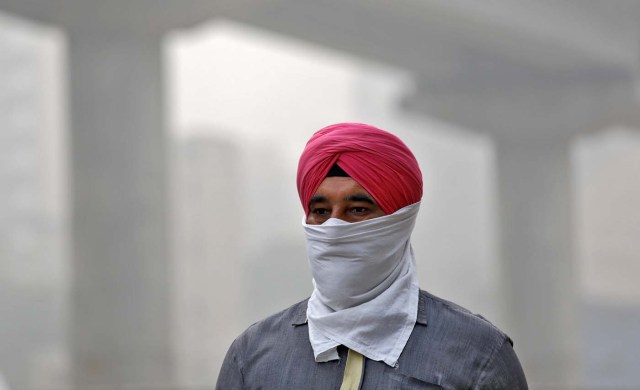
[[365, 293]]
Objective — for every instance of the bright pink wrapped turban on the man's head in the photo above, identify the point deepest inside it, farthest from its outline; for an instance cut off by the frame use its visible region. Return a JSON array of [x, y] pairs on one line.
[[379, 161]]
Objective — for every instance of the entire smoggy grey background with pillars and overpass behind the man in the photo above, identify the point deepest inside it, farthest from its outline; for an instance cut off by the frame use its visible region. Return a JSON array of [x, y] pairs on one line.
[[148, 211]]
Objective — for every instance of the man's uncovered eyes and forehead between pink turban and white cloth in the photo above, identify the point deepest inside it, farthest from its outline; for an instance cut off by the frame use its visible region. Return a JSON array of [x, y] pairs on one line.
[[342, 198]]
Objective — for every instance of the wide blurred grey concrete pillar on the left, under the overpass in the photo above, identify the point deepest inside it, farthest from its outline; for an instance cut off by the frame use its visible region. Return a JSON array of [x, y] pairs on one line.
[[120, 332]]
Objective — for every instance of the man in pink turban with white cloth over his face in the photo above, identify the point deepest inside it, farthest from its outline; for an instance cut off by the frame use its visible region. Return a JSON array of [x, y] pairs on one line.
[[367, 325]]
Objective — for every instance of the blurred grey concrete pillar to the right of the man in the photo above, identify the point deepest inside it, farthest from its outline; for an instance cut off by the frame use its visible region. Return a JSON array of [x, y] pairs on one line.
[[536, 242]]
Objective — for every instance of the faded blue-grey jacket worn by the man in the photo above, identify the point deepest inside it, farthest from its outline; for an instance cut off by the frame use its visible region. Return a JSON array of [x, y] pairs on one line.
[[449, 348]]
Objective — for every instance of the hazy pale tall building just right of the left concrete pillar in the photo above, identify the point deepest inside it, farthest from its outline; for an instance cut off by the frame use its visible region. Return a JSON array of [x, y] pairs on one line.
[[207, 277]]
